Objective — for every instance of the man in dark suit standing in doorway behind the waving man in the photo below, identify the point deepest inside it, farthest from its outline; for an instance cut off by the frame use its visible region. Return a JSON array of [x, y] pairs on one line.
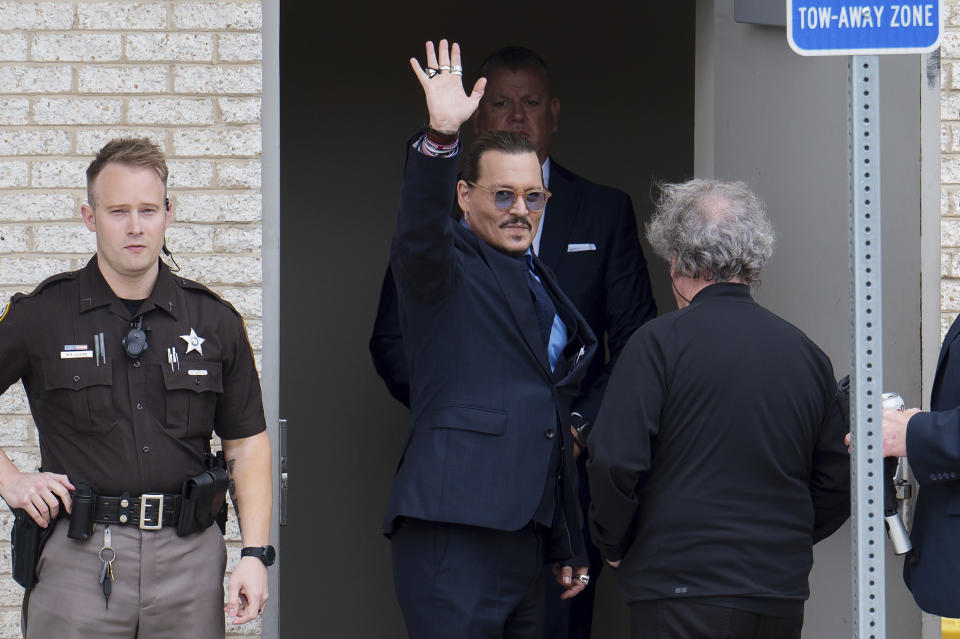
[[587, 237]]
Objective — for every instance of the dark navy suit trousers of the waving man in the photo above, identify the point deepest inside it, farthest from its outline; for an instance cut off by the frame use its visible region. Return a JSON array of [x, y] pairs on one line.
[[465, 582]]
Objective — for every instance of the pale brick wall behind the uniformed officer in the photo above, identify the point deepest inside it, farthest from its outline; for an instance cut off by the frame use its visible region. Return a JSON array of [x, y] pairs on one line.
[[74, 74]]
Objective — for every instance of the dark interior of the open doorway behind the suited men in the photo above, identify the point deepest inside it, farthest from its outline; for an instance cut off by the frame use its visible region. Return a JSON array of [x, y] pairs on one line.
[[624, 73]]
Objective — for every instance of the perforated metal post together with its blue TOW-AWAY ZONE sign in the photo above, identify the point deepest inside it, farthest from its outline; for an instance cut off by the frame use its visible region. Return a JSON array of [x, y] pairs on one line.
[[862, 31]]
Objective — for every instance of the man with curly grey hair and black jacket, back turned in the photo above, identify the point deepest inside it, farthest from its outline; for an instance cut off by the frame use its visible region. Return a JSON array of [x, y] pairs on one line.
[[718, 456]]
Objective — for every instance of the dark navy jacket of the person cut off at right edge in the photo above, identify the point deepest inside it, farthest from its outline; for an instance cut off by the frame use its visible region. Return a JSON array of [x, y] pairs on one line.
[[933, 449]]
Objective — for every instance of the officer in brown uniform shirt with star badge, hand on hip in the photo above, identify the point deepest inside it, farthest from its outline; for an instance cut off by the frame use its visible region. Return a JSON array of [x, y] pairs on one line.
[[129, 369]]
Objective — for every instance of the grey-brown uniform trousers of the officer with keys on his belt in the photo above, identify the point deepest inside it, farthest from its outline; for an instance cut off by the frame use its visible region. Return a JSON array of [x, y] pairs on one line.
[[165, 586]]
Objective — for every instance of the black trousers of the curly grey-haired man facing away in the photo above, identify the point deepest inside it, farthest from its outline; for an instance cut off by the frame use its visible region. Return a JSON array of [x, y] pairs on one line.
[[687, 619]]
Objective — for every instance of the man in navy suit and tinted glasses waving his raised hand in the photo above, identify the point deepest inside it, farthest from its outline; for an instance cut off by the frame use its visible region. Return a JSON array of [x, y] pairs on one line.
[[483, 496]]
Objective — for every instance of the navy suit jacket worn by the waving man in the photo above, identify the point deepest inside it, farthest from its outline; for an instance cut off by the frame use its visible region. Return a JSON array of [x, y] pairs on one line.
[[485, 407]]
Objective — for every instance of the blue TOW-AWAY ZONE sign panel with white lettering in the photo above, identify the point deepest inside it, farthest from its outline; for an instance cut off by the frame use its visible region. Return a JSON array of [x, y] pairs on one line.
[[848, 27]]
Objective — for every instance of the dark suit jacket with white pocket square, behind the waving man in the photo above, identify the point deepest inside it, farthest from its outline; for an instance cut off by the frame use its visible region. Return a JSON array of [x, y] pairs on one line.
[[590, 242]]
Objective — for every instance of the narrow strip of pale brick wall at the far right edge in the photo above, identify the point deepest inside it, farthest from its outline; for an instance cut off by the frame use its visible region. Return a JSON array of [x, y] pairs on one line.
[[950, 167]]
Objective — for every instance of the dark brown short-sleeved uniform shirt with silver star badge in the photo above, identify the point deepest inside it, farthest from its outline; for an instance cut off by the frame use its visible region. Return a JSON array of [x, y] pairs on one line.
[[122, 424]]
